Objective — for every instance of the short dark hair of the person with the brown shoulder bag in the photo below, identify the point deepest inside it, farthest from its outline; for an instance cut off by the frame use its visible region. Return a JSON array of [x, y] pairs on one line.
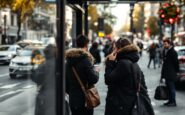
[[81, 41]]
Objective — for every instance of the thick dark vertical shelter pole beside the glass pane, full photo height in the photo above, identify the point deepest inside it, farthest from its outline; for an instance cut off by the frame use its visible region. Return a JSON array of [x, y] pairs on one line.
[[60, 67]]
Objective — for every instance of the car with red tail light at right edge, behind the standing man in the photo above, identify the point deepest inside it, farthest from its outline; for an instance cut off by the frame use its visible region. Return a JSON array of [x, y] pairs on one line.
[[181, 57]]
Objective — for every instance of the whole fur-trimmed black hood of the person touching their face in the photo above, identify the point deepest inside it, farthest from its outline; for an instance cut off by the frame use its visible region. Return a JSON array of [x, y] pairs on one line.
[[128, 52]]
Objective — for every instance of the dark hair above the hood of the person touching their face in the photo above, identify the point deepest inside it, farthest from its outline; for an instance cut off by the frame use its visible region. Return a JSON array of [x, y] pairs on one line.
[[122, 42]]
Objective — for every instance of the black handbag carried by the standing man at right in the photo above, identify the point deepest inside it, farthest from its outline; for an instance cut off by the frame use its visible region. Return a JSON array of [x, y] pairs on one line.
[[161, 92]]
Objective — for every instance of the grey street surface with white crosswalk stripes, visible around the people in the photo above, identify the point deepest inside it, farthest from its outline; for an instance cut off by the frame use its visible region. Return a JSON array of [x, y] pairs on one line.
[[17, 96]]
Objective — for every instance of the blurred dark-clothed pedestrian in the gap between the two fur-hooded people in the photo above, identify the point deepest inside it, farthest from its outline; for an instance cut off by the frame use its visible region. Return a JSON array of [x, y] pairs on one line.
[[95, 52]]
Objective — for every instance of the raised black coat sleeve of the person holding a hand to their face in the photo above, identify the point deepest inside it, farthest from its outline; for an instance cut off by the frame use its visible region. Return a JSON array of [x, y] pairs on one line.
[[115, 72]]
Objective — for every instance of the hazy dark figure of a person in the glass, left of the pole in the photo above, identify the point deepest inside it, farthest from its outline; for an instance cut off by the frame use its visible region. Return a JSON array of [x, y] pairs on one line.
[[44, 77]]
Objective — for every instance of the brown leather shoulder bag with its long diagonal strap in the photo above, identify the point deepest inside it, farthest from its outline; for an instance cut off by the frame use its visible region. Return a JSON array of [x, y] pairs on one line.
[[91, 94]]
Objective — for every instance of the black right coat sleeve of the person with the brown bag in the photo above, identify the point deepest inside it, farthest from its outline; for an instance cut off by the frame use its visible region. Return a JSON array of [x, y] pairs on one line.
[[92, 75]]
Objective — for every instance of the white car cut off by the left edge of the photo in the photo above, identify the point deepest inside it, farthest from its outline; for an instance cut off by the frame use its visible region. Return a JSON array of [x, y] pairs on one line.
[[7, 52]]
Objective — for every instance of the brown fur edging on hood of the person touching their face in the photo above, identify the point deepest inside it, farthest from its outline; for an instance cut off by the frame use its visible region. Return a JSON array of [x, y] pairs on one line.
[[129, 48]]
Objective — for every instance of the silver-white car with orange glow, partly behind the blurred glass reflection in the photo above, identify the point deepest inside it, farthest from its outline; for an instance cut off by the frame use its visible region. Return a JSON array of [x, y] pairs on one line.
[[27, 60]]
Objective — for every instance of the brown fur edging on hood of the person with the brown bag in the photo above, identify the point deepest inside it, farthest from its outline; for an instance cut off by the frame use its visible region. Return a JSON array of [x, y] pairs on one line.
[[78, 52]]
